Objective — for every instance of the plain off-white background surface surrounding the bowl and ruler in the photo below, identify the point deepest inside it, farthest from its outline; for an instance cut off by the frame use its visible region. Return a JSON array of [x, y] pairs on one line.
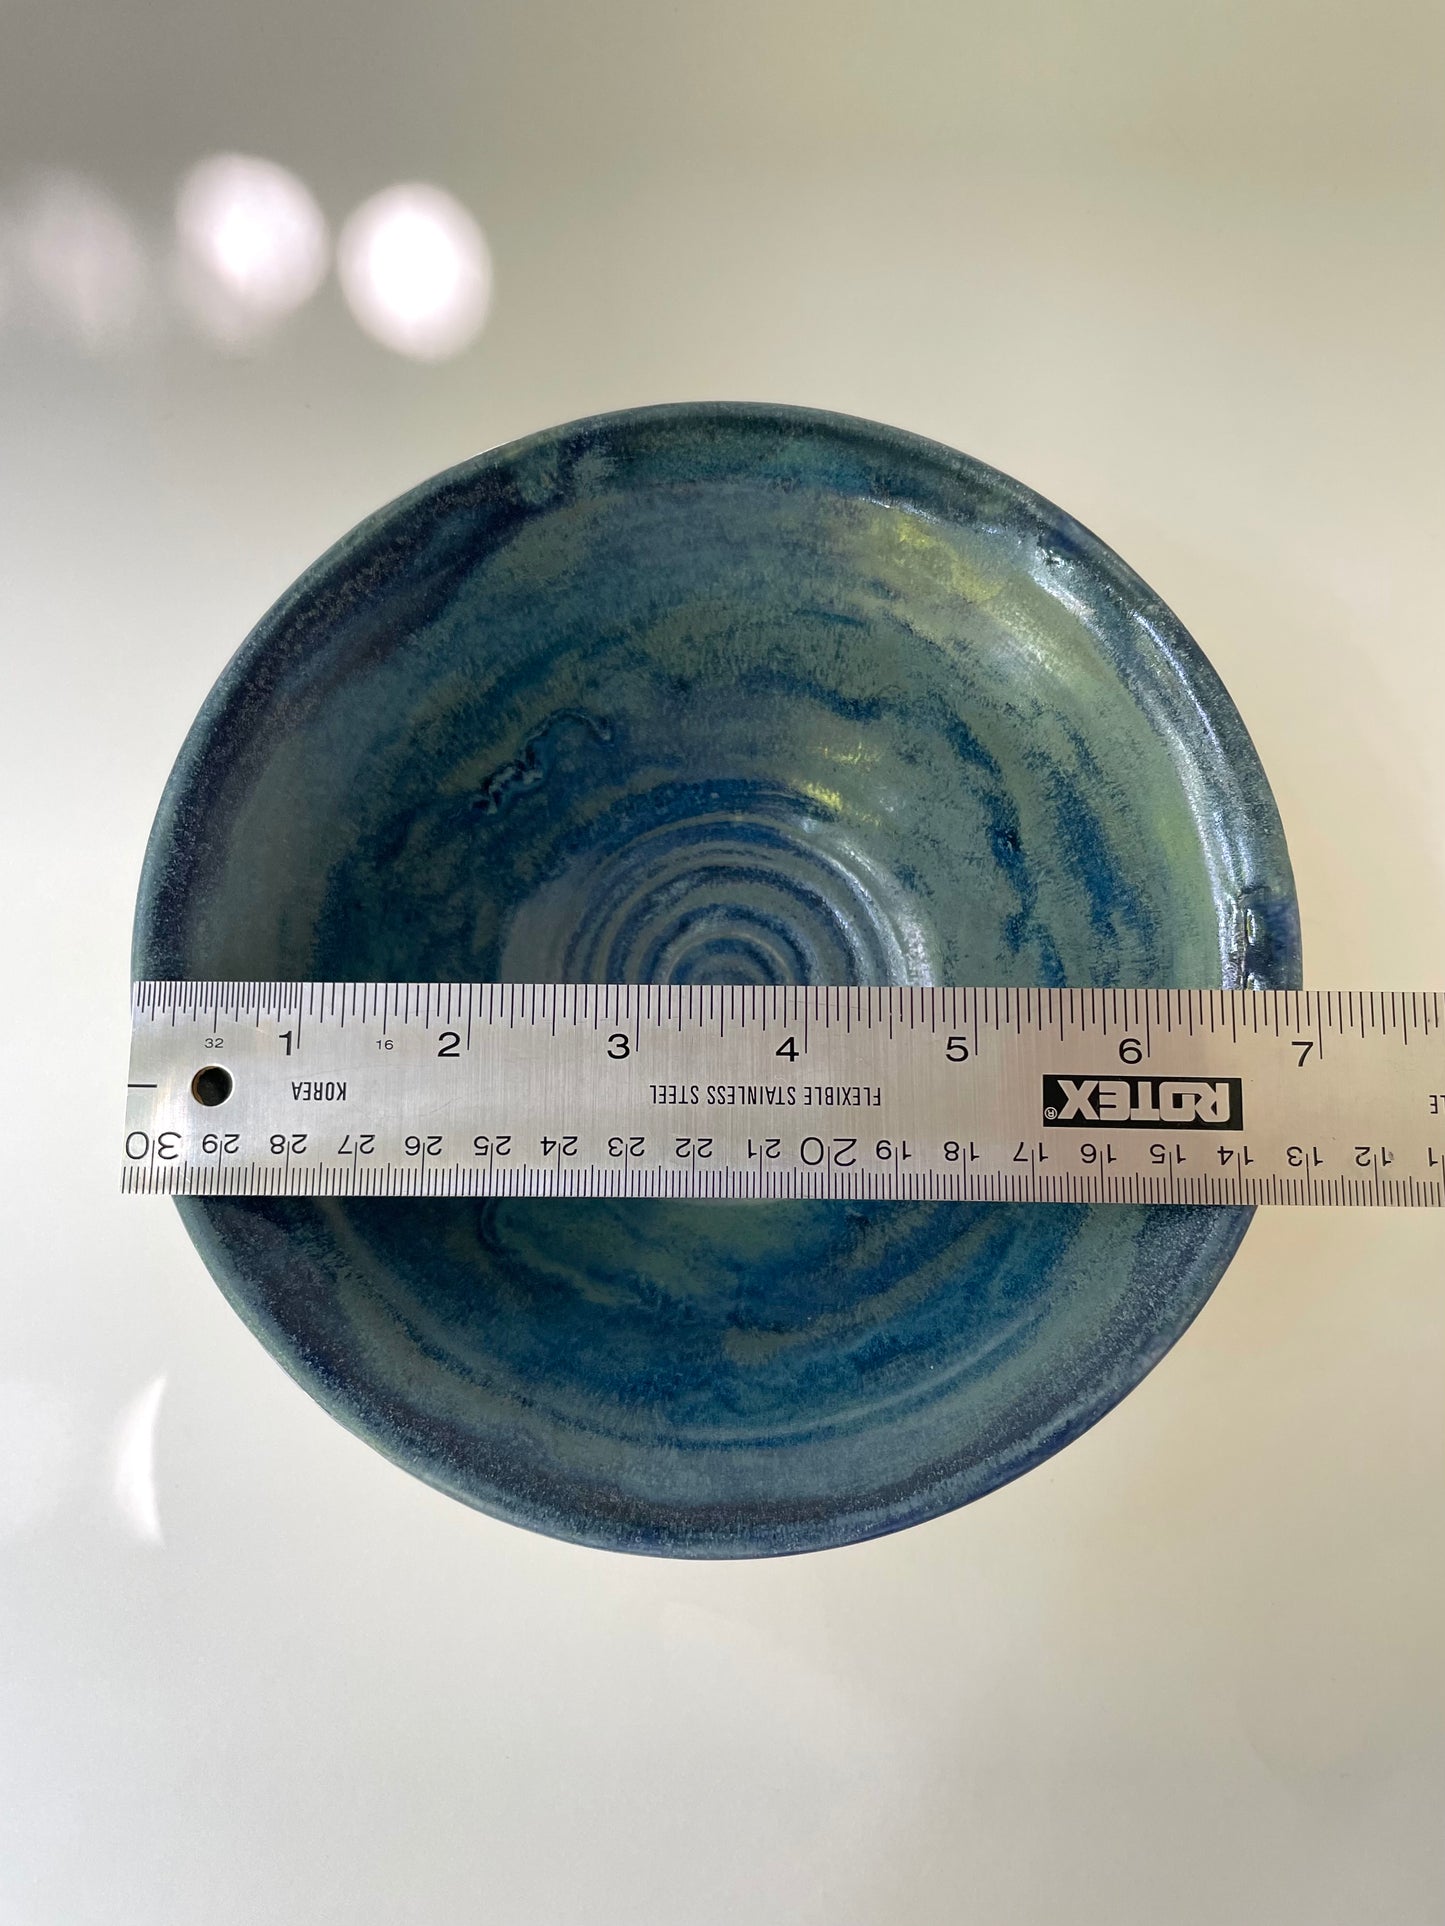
[[1180, 271]]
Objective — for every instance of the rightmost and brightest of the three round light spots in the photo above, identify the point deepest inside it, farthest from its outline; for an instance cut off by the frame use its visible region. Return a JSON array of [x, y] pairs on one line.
[[415, 271]]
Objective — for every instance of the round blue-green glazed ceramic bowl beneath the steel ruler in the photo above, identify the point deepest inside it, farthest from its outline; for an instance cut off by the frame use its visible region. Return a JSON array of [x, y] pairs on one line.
[[718, 694]]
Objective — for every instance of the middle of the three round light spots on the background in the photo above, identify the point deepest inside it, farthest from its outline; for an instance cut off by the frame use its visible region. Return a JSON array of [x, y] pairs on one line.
[[251, 246]]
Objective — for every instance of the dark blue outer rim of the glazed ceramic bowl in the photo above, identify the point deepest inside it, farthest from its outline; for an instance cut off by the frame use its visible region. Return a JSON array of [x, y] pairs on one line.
[[178, 845]]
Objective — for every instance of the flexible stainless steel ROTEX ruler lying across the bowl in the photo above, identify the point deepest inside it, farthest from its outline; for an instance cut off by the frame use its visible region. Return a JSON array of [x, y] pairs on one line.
[[739, 1091]]
